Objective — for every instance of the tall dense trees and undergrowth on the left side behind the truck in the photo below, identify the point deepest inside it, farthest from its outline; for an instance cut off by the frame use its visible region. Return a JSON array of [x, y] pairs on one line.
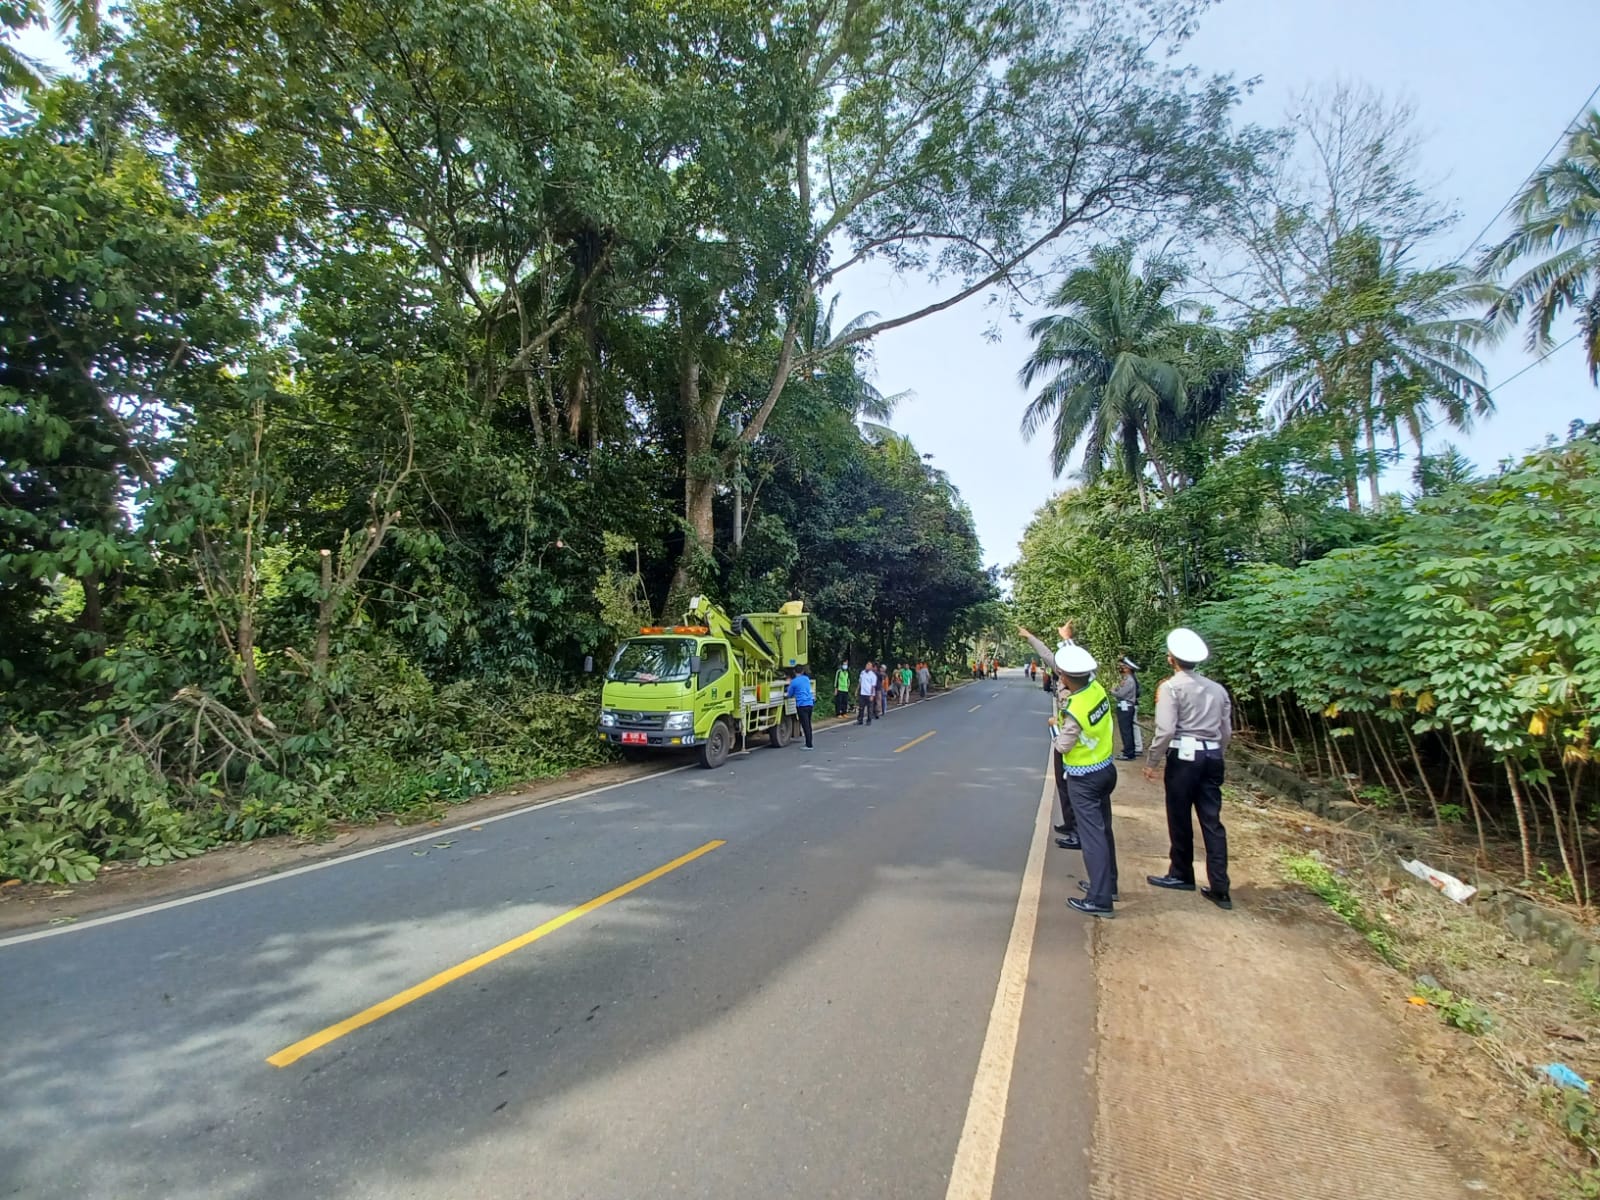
[[367, 369]]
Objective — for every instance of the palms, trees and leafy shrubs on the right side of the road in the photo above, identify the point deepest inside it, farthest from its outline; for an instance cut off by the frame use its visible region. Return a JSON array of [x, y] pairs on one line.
[[1438, 650]]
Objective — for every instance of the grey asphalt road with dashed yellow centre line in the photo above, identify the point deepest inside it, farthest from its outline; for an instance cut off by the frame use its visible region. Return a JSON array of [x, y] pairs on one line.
[[806, 1009]]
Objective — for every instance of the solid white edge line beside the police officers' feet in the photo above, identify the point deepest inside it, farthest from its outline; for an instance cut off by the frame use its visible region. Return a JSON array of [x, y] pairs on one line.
[[977, 1156]]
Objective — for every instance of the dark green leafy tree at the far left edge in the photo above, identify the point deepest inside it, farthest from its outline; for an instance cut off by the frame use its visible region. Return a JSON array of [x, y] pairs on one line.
[[113, 327]]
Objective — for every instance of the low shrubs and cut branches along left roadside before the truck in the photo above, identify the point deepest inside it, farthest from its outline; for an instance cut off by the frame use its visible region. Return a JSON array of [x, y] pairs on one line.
[[68, 807]]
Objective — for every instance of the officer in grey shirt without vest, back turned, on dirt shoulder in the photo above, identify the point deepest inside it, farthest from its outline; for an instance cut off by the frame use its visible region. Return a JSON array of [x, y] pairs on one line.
[[1194, 718]]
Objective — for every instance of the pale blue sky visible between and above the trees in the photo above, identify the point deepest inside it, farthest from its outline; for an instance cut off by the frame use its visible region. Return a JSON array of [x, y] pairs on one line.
[[1494, 87]]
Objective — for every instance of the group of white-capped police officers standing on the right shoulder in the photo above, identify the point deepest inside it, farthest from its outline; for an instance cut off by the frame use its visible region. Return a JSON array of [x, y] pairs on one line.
[[1193, 724]]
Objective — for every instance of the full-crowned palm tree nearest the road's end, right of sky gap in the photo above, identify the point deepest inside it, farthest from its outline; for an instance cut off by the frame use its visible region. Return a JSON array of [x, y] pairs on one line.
[[1121, 364]]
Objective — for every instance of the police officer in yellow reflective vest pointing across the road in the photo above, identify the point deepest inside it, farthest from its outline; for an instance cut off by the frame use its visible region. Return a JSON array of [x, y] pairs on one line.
[[1084, 742]]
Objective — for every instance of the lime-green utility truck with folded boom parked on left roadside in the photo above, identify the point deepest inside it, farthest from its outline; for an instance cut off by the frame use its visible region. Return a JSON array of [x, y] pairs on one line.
[[710, 684]]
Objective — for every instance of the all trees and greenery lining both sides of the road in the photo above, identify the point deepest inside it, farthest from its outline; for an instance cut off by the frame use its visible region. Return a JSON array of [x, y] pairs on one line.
[[362, 383]]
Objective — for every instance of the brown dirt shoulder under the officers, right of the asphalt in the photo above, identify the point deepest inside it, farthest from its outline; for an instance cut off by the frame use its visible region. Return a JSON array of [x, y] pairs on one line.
[[1262, 1052]]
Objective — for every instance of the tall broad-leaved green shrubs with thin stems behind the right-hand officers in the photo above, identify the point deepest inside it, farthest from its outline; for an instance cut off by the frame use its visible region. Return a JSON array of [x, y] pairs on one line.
[[1455, 662]]
